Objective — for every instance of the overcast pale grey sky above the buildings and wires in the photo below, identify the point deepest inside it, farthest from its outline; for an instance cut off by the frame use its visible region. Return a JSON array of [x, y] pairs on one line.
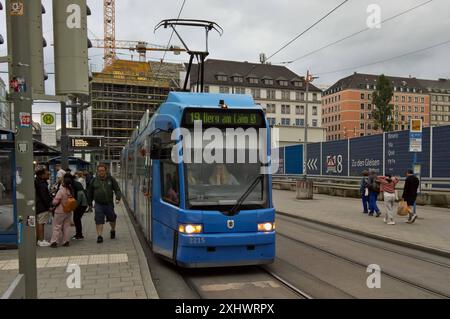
[[255, 26]]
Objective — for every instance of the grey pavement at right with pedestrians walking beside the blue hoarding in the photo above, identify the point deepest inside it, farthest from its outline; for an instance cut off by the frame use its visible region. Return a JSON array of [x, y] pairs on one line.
[[430, 232]]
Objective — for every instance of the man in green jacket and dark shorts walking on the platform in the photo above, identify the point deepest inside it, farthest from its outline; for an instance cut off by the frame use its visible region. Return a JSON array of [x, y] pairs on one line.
[[101, 190]]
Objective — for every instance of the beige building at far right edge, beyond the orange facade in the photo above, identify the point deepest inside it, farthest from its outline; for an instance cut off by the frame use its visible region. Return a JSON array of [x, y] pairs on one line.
[[439, 91]]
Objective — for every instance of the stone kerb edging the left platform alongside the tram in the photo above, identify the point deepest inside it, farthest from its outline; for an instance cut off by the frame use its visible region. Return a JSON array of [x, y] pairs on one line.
[[147, 280]]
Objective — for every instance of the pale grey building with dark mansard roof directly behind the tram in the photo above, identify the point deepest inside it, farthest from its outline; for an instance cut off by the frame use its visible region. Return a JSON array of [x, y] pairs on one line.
[[281, 92]]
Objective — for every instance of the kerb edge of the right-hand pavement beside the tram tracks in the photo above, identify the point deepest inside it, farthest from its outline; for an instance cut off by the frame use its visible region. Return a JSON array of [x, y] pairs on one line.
[[426, 249]]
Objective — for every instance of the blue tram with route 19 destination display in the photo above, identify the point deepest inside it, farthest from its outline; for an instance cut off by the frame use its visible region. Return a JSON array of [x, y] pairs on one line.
[[190, 176]]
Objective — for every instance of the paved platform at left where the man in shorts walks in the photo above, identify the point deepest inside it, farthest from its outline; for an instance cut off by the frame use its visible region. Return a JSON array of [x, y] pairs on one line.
[[115, 269]]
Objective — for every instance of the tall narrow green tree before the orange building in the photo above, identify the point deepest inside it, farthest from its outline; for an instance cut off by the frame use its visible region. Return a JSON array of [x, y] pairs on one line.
[[382, 110]]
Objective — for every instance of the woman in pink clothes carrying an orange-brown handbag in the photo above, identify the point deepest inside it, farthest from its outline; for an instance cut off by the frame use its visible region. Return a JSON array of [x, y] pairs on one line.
[[65, 204]]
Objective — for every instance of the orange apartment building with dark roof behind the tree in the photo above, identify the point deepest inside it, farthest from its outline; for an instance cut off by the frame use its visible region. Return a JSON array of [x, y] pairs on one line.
[[347, 105]]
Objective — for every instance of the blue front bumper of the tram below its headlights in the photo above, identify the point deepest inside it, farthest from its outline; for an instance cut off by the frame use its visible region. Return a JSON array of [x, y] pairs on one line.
[[225, 249]]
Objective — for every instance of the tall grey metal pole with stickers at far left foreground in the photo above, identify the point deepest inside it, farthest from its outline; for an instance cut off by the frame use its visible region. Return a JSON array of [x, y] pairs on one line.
[[20, 73]]
